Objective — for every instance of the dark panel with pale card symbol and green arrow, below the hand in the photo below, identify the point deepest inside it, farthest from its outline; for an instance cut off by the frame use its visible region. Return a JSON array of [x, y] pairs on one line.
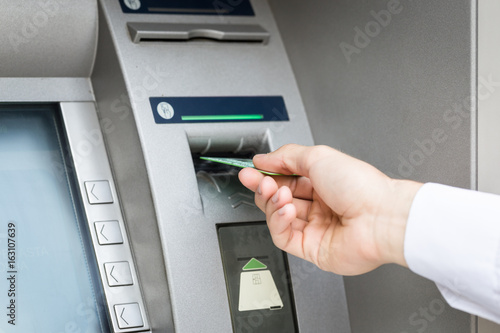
[[257, 279]]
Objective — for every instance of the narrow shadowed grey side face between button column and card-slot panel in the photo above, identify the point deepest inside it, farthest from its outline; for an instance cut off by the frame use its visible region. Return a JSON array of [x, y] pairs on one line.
[[131, 181]]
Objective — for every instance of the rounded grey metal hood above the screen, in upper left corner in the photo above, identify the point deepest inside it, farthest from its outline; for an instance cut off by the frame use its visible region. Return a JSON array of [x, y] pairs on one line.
[[50, 38]]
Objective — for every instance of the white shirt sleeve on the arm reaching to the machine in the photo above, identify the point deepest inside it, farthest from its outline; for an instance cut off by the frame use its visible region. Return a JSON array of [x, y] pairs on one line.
[[453, 238]]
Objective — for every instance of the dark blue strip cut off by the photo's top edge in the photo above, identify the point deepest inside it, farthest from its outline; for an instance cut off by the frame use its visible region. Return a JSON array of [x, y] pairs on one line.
[[188, 7]]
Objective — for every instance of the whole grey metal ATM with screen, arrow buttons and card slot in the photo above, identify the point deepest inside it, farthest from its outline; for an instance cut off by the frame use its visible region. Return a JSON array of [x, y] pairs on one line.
[[111, 222]]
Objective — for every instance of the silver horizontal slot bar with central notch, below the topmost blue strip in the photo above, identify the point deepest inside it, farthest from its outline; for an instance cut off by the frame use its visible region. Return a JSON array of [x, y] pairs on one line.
[[141, 31]]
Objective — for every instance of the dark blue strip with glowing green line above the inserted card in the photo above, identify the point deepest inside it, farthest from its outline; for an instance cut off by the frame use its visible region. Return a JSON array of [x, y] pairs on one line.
[[174, 110]]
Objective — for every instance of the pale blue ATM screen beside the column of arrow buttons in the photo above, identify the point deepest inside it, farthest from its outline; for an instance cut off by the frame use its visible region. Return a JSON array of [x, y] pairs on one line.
[[48, 281]]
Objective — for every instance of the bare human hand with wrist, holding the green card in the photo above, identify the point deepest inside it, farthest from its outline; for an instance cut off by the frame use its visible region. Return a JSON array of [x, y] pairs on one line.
[[342, 214]]
